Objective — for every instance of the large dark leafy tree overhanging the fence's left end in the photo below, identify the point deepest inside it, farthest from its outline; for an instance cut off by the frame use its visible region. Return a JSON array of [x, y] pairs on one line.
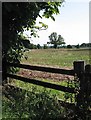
[[18, 16]]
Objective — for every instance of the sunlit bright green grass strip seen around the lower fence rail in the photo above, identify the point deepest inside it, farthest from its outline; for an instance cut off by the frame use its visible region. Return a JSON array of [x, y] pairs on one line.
[[59, 94]]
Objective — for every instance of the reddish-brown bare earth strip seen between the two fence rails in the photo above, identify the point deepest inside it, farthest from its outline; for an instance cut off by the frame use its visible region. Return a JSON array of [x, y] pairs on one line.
[[44, 75]]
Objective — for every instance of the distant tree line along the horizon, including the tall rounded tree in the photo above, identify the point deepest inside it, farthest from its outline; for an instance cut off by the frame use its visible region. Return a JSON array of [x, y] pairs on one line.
[[55, 41]]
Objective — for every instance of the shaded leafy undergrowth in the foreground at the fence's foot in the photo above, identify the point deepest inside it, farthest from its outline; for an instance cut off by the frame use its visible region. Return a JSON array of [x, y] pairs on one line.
[[33, 105]]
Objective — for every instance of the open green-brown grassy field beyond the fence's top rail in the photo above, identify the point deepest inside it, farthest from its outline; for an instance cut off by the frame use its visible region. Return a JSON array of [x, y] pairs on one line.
[[56, 57]]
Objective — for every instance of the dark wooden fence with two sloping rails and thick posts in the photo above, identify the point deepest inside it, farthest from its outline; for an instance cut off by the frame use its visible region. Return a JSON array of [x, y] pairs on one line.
[[81, 71]]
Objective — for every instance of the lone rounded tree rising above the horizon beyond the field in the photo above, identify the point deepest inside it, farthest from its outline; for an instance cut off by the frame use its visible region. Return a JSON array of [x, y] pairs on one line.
[[56, 39]]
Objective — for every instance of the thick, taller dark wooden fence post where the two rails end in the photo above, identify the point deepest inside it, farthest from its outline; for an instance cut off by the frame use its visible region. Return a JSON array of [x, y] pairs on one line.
[[79, 69]]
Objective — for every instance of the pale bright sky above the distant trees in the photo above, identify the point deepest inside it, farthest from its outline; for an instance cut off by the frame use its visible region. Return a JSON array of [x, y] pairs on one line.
[[72, 23]]
